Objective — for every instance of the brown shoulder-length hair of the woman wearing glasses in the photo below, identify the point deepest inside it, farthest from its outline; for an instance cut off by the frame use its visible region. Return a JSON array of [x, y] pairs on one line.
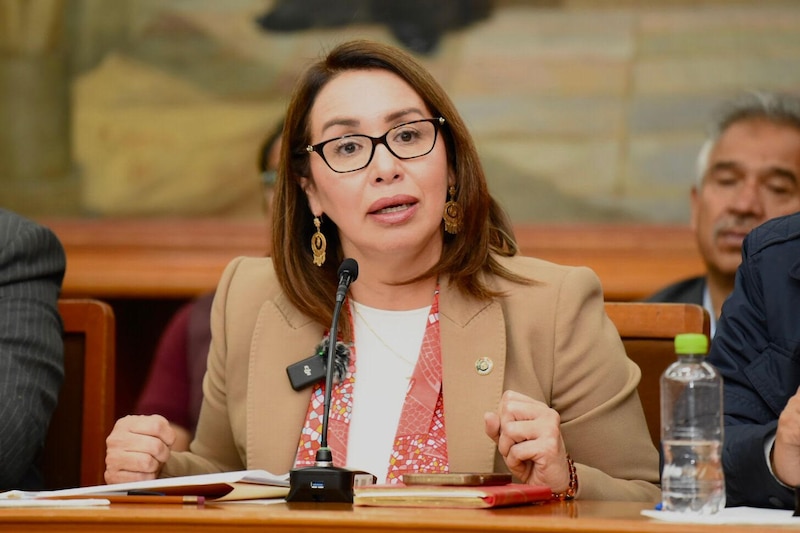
[[465, 257]]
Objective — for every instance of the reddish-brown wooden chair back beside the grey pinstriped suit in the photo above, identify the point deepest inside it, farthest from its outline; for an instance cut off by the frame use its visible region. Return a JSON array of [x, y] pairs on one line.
[[74, 452]]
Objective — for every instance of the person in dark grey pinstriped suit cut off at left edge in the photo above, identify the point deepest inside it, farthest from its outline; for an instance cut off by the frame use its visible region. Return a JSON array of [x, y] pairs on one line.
[[32, 264]]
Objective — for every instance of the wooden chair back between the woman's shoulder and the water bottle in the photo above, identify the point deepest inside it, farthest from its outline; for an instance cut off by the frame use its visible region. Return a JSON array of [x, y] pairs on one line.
[[648, 331]]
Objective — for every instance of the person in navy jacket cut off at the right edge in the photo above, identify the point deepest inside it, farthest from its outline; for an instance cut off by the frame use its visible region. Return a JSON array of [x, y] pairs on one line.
[[757, 350]]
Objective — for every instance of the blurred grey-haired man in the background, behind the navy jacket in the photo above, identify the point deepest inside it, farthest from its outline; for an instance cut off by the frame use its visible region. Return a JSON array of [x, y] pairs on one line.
[[748, 171]]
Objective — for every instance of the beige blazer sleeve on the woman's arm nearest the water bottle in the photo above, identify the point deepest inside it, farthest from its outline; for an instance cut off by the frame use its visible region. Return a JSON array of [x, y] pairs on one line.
[[594, 389]]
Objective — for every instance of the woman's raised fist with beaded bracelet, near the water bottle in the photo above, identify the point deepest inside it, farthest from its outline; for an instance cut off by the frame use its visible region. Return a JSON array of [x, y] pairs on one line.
[[528, 436]]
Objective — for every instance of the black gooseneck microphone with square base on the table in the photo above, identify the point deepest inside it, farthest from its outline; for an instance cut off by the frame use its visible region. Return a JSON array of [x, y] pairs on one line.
[[325, 482]]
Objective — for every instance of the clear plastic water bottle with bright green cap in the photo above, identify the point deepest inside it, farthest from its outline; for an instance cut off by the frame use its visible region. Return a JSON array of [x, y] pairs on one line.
[[692, 479]]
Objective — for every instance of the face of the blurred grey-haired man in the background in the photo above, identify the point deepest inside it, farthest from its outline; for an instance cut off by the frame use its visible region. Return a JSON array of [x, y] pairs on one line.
[[753, 175]]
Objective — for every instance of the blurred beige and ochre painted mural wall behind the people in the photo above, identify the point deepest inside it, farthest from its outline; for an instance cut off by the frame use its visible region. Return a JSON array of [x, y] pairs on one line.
[[582, 110]]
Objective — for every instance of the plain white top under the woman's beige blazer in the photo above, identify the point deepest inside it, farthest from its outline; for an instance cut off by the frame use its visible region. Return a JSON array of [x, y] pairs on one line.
[[387, 345]]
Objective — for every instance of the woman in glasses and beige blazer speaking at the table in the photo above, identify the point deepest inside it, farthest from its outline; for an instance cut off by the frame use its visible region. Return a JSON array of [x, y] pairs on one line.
[[452, 336]]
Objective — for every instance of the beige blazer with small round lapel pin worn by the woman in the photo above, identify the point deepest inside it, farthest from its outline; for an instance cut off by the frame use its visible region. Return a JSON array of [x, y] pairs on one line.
[[551, 341]]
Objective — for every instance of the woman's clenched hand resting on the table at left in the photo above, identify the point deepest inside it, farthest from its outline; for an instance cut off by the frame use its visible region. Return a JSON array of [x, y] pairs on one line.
[[137, 448]]
